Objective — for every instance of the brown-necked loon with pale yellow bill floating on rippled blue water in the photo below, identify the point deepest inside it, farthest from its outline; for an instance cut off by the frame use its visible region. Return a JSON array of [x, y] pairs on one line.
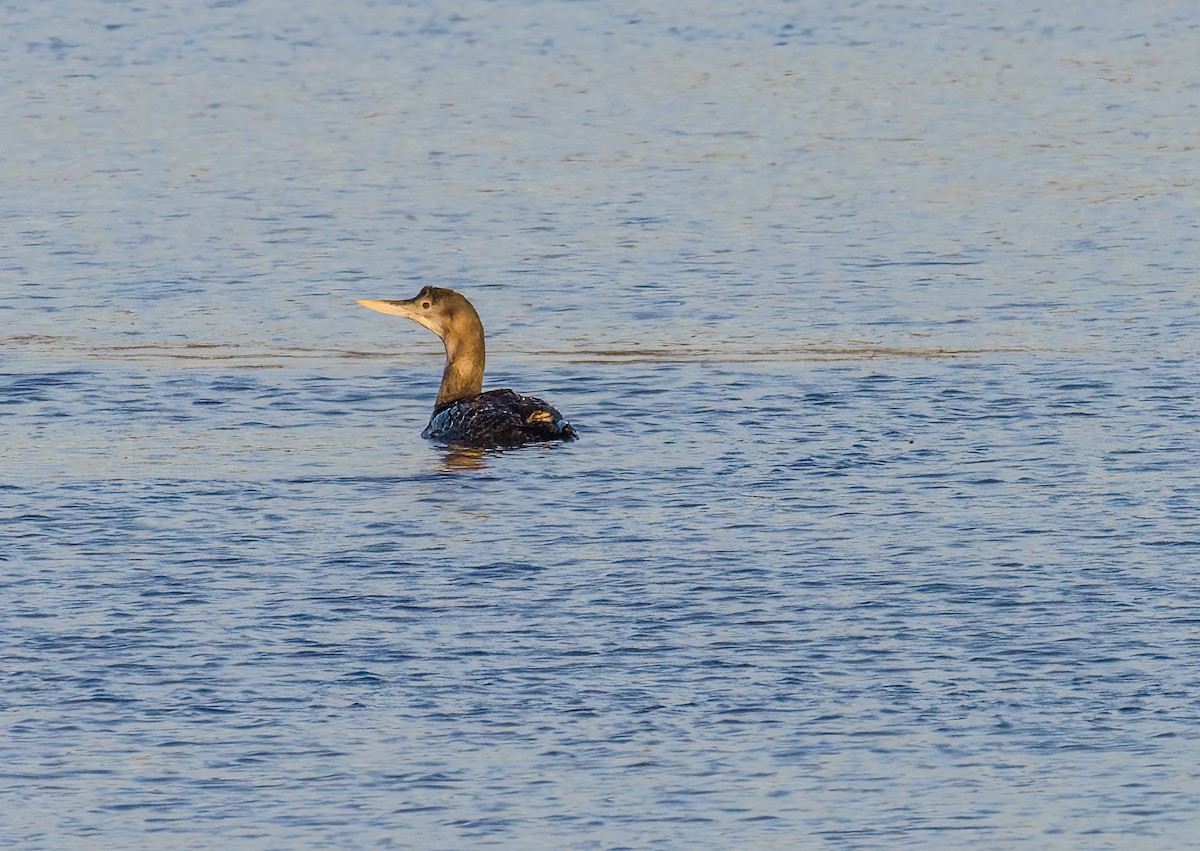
[[464, 415]]
